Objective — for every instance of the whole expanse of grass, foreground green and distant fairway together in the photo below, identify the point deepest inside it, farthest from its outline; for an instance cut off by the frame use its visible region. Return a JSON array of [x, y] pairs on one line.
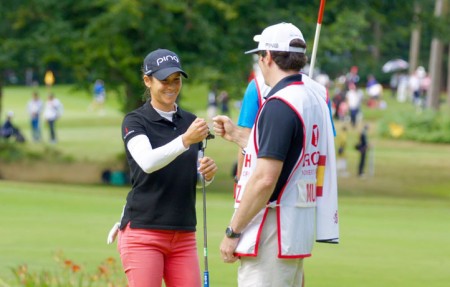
[[394, 225]]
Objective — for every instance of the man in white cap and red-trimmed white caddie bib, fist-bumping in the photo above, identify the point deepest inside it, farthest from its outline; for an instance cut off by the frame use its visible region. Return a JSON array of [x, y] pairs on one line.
[[286, 197]]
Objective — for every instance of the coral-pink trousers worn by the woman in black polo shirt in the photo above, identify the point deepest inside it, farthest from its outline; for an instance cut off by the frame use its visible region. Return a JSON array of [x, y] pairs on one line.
[[149, 256]]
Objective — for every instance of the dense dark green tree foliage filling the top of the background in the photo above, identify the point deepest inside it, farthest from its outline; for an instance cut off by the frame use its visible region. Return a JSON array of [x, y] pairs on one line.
[[88, 39]]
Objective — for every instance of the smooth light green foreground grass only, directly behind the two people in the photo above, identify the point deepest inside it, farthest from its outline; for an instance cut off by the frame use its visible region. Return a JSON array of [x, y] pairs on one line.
[[384, 241]]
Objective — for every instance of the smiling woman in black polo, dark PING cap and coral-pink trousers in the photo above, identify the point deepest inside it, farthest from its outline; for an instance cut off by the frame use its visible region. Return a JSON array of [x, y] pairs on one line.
[[157, 231]]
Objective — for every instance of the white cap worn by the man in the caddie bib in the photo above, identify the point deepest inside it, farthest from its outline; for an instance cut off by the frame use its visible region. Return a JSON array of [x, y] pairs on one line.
[[277, 38]]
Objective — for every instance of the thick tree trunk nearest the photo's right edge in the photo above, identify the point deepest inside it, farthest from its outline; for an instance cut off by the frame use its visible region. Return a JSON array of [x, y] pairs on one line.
[[435, 64]]
